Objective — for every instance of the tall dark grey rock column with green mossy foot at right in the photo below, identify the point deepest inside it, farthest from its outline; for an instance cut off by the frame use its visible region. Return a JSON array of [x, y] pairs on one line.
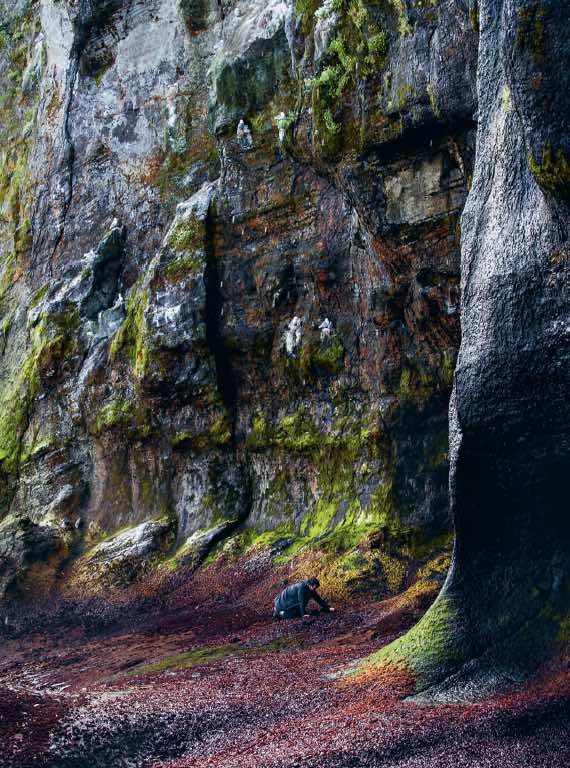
[[505, 604]]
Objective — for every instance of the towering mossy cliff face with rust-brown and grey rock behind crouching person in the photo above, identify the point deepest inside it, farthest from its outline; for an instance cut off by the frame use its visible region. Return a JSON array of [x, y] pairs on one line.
[[209, 326]]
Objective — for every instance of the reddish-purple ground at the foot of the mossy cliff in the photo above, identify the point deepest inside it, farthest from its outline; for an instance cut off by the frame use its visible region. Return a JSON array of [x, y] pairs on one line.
[[194, 674]]
